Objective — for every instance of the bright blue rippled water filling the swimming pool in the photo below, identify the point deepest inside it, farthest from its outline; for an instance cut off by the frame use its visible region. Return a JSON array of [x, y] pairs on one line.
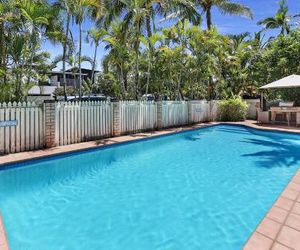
[[203, 189]]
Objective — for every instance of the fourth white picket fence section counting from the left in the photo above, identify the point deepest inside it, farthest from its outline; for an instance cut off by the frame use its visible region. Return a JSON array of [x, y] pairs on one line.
[[174, 113]]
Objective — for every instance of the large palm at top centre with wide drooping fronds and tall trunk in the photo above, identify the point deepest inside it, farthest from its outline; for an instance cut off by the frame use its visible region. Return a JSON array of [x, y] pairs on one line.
[[138, 15]]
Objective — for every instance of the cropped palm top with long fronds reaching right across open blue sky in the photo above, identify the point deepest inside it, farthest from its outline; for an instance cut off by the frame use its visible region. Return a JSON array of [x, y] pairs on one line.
[[225, 6]]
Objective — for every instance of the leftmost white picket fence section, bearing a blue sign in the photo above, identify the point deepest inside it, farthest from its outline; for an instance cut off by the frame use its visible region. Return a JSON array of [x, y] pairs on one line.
[[22, 127]]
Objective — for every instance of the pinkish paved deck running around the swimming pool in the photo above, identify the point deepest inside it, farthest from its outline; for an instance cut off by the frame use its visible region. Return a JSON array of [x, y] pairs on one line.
[[280, 228]]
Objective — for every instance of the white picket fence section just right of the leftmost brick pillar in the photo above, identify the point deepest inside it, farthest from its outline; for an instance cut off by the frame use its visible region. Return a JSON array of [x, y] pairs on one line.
[[83, 121]]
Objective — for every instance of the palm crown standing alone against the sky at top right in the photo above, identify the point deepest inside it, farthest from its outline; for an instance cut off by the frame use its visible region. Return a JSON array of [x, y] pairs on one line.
[[281, 20]]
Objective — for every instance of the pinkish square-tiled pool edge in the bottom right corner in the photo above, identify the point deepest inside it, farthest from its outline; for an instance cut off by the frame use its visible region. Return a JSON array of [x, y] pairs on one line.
[[280, 228]]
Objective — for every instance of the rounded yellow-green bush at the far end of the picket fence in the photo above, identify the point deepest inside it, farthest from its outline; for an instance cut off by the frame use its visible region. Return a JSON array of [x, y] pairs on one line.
[[233, 110]]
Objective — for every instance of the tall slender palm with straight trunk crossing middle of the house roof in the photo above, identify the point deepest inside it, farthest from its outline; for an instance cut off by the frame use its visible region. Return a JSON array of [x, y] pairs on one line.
[[84, 8]]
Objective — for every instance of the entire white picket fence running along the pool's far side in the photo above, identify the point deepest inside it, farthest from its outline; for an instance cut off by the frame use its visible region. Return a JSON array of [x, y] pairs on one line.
[[22, 125]]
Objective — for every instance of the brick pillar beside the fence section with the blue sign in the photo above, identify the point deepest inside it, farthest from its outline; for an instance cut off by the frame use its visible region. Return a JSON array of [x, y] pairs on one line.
[[49, 109]]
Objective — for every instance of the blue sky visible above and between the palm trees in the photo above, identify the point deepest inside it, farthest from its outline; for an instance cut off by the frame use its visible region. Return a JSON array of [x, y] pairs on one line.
[[226, 24]]
